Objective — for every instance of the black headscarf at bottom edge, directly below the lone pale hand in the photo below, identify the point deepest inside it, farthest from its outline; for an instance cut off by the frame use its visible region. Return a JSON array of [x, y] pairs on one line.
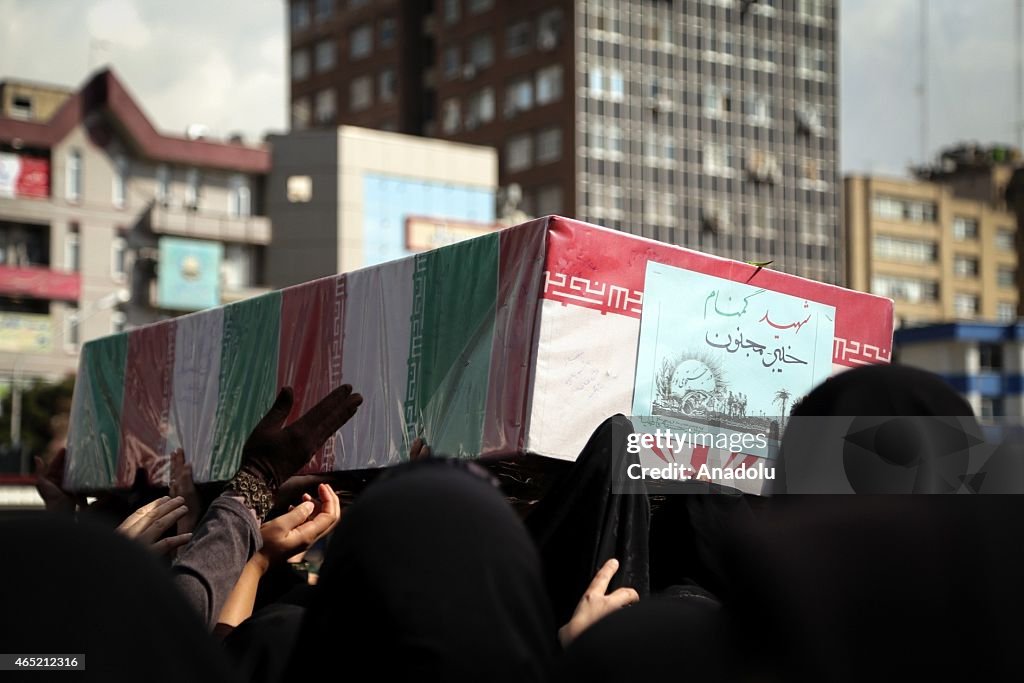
[[659, 639]]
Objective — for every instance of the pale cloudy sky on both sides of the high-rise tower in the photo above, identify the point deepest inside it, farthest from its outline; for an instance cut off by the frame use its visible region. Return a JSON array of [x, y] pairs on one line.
[[223, 63]]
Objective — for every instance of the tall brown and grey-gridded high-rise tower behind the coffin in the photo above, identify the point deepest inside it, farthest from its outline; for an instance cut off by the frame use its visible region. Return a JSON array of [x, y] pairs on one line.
[[710, 124]]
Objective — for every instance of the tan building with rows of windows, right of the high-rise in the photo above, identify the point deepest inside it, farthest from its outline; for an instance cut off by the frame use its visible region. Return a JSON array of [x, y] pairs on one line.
[[943, 246]]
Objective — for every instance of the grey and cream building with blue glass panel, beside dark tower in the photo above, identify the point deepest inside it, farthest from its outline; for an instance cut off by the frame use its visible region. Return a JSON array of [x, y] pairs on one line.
[[356, 197]]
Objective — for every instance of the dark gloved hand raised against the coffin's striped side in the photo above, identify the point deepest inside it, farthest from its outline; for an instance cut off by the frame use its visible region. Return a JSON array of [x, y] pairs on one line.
[[275, 452]]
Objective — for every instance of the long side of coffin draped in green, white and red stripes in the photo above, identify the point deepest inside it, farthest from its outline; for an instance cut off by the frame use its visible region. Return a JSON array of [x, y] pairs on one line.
[[435, 344]]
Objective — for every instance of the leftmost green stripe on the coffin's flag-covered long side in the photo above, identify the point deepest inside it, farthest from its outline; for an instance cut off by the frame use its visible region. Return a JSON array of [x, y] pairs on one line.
[[97, 414]]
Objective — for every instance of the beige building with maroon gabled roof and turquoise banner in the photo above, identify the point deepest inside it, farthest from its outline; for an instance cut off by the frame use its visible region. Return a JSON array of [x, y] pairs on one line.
[[107, 224]]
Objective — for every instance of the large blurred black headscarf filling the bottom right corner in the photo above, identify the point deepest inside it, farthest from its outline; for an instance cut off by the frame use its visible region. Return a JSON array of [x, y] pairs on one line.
[[866, 588]]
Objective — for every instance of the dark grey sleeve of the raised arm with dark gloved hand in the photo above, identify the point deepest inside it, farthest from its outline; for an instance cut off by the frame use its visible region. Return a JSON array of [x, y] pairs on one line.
[[209, 567]]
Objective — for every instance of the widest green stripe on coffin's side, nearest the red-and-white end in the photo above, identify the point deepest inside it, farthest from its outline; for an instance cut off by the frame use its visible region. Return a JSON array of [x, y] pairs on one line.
[[455, 290]]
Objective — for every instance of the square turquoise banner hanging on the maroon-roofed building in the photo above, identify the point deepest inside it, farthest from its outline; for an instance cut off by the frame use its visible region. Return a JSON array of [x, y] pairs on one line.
[[189, 277]]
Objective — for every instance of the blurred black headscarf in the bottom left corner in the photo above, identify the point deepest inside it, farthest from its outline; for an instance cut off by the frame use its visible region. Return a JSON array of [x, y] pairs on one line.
[[79, 588]]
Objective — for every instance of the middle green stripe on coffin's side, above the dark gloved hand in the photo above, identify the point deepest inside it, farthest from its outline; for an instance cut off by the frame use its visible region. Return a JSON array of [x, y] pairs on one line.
[[248, 377]]
